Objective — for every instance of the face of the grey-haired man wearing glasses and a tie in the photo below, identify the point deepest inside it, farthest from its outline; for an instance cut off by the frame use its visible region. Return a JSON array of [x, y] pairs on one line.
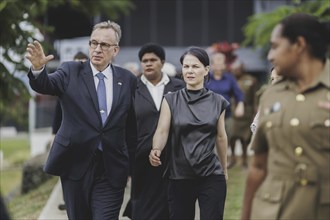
[[100, 58]]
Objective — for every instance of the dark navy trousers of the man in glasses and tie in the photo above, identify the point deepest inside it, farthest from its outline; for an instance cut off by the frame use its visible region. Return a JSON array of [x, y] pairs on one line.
[[92, 197]]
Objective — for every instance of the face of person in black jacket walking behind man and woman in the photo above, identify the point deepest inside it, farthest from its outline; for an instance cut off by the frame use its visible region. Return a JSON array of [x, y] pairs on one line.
[[151, 66]]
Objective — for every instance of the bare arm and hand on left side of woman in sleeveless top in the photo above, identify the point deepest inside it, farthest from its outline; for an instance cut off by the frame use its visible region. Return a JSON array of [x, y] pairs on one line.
[[161, 134]]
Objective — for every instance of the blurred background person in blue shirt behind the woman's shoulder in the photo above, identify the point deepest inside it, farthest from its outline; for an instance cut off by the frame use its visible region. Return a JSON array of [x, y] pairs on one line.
[[224, 83]]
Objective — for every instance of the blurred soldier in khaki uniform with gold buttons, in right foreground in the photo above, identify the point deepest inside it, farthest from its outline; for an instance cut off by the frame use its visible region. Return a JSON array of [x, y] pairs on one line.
[[289, 174]]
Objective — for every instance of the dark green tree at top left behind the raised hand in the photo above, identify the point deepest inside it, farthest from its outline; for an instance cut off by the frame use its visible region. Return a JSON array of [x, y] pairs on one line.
[[20, 22]]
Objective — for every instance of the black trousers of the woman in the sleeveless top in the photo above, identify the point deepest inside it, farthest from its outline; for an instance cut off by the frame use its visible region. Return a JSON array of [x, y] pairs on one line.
[[209, 191]]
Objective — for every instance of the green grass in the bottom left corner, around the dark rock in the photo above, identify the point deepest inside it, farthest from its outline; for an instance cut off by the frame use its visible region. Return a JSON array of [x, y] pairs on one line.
[[28, 206]]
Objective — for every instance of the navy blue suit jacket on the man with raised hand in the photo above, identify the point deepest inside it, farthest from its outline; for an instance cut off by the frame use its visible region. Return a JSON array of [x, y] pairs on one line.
[[81, 131]]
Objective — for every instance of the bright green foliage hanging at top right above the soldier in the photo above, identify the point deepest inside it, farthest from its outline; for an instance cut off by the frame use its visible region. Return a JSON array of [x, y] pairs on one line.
[[258, 29]]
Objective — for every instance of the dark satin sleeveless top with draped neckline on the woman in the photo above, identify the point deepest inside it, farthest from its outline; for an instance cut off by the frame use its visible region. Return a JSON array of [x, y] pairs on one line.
[[195, 115]]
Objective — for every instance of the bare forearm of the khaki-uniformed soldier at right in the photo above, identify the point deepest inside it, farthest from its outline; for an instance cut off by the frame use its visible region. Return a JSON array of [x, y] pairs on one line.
[[256, 175]]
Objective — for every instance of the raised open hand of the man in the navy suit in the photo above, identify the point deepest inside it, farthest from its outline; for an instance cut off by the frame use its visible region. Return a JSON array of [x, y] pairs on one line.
[[35, 54]]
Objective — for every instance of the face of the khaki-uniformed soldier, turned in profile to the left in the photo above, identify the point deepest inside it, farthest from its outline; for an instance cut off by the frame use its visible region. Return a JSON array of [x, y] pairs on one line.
[[283, 54]]
